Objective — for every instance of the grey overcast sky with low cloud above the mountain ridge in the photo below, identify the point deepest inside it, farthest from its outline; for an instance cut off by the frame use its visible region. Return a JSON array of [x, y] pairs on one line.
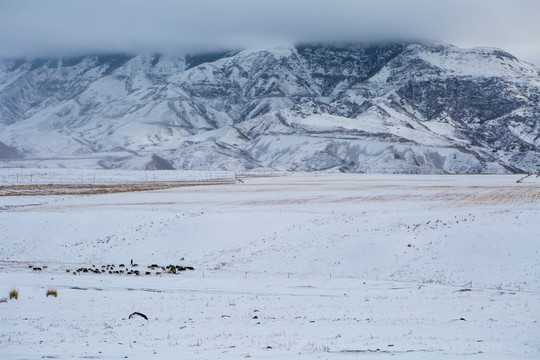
[[74, 27]]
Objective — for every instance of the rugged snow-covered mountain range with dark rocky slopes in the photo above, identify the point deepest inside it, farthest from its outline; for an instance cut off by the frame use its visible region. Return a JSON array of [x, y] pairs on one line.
[[406, 108]]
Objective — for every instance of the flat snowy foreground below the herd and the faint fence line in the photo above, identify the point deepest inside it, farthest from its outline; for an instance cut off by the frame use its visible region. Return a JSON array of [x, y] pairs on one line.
[[298, 318]]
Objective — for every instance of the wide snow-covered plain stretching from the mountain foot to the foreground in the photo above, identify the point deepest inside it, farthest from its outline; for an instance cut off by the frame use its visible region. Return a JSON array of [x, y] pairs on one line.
[[303, 266]]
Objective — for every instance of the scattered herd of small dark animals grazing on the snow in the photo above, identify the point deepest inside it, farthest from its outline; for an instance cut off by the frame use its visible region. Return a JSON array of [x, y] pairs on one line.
[[122, 269]]
